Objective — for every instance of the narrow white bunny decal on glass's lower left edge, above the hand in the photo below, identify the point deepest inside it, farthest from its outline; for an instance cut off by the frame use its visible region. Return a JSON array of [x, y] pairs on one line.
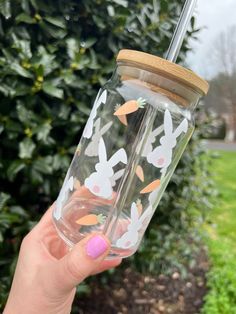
[[68, 185]]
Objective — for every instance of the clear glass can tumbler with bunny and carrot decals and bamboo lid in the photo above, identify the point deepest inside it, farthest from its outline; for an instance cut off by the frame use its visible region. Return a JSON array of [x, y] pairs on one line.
[[139, 126]]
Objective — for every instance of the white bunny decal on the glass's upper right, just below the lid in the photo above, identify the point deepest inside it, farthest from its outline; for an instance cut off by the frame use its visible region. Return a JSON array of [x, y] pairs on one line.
[[161, 156]]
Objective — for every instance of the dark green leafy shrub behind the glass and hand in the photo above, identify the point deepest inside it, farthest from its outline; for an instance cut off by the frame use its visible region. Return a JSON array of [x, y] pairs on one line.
[[54, 57]]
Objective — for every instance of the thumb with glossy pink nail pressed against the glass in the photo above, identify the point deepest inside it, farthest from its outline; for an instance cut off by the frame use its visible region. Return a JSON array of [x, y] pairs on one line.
[[81, 261]]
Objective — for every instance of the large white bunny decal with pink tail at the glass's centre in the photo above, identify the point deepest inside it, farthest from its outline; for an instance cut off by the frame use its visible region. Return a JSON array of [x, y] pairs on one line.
[[100, 183]]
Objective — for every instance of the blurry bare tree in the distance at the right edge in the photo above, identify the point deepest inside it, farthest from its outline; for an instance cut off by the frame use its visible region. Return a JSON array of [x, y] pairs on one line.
[[222, 94]]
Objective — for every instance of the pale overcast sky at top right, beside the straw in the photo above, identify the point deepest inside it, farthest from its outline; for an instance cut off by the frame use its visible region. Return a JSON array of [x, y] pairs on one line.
[[215, 16]]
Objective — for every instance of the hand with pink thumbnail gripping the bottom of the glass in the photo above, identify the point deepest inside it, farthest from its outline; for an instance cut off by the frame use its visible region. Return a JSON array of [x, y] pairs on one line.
[[47, 272]]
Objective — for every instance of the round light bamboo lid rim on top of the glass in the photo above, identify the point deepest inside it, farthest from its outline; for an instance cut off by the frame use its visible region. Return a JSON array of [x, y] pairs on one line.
[[166, 68]]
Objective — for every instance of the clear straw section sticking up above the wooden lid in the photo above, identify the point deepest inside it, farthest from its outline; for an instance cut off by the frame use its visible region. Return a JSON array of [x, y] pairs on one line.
[[180, 30]]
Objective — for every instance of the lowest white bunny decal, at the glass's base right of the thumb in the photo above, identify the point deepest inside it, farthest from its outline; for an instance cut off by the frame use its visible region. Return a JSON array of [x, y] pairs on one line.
[[131, 237]]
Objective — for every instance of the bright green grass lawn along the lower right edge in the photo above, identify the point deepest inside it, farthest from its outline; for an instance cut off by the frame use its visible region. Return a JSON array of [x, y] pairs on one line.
[[221, 298]]
